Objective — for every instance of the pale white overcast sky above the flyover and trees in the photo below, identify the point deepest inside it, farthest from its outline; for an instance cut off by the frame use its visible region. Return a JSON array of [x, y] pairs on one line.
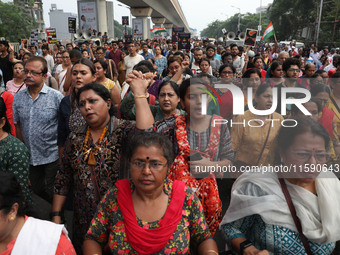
[[199, 13]]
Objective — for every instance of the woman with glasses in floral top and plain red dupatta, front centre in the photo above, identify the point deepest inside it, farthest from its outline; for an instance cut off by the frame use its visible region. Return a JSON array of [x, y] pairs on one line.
[[149, 214]]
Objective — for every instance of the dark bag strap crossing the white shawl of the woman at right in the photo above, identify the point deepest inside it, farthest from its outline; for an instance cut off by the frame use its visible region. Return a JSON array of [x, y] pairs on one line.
[[295, 218]]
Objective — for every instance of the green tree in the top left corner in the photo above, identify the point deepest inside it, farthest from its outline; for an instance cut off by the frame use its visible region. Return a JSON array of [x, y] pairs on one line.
[[16, 24]]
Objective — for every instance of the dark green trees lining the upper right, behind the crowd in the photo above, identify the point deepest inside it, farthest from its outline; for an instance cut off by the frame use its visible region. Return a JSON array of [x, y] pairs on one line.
[[289, 18]]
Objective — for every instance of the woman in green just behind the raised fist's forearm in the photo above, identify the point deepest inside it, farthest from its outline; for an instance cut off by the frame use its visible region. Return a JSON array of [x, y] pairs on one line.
[[168, 98]]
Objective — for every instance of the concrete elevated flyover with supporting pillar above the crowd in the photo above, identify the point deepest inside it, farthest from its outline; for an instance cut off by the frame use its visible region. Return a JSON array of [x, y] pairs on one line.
[[167, 13]]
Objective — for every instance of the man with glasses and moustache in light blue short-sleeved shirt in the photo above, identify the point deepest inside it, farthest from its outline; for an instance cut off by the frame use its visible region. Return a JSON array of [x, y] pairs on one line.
[[35, 112]]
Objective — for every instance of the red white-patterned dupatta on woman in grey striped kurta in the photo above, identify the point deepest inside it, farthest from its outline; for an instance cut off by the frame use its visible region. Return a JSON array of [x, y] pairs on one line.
[[205, 189]]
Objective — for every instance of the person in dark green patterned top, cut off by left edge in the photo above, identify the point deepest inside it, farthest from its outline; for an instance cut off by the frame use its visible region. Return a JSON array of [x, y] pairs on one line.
[[14, 156]]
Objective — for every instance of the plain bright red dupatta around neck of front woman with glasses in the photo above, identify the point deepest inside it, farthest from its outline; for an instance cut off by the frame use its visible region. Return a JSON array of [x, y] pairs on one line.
[[150, 241]]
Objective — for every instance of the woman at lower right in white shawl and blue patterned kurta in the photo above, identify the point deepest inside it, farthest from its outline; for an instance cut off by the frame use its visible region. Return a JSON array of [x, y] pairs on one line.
[[259, 212]]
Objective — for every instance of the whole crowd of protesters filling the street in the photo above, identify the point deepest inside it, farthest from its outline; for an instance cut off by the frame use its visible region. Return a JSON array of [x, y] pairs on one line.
[[121, 136]]
